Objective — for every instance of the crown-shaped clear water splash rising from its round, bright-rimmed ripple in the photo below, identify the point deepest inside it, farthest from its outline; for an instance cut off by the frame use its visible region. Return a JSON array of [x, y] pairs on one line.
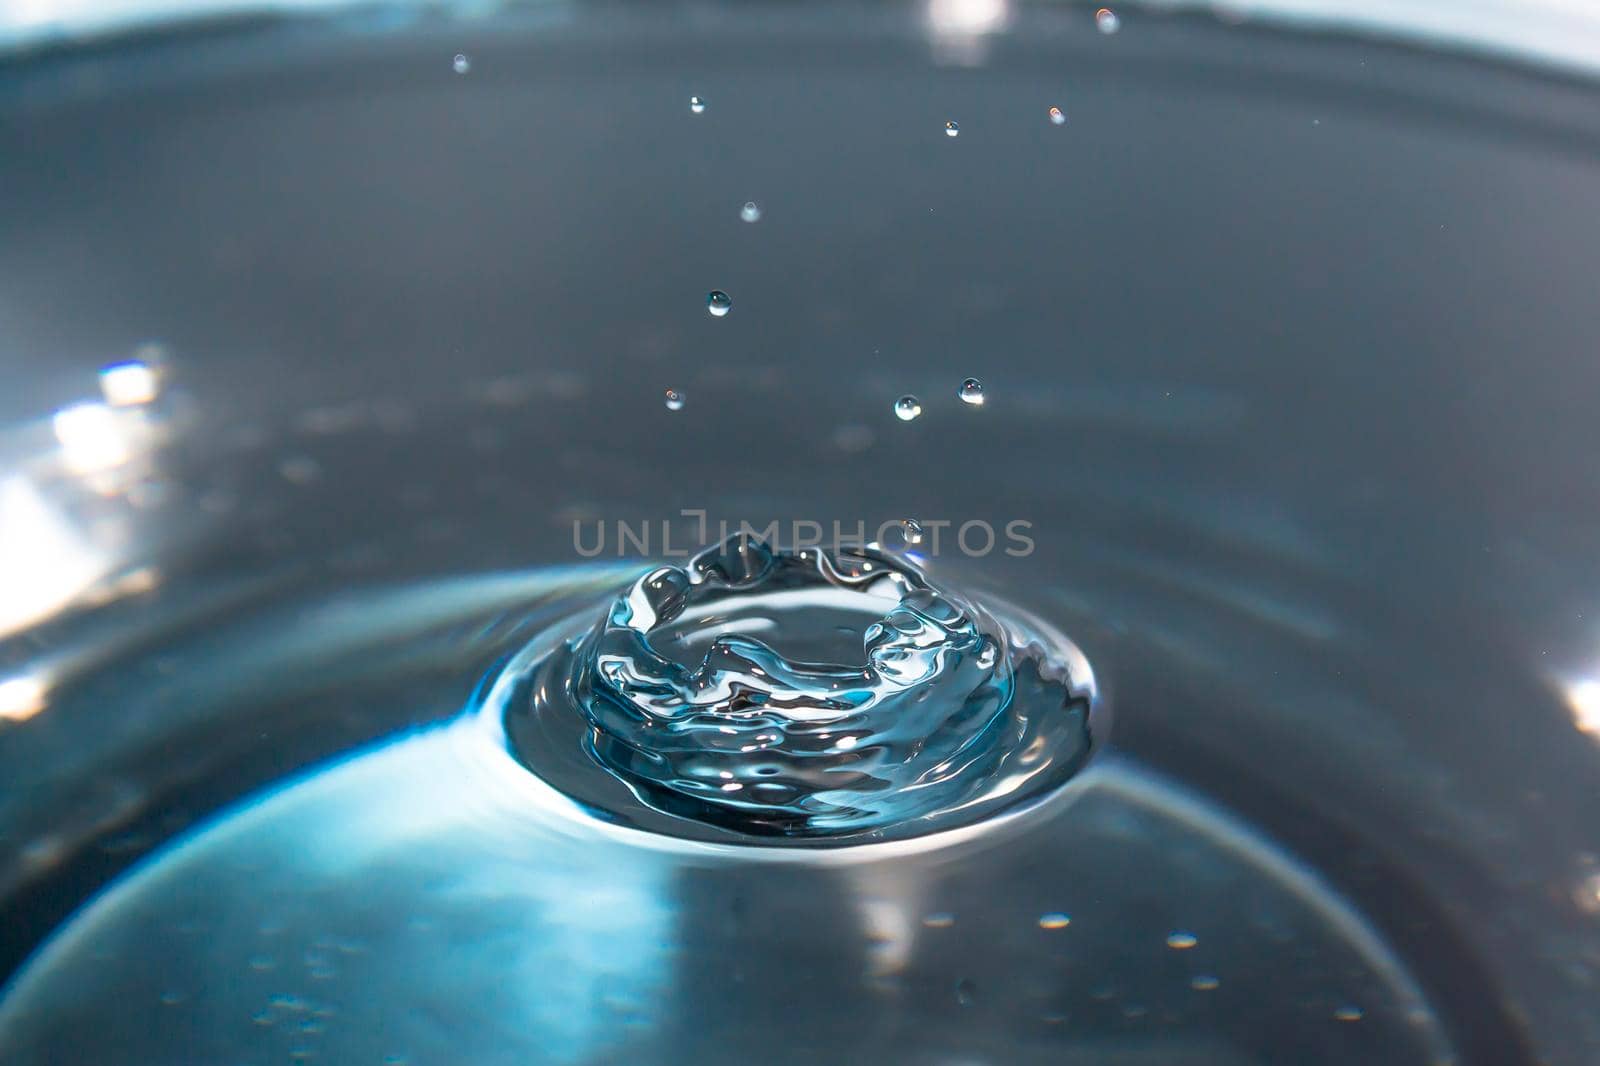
[[679, 691]]
